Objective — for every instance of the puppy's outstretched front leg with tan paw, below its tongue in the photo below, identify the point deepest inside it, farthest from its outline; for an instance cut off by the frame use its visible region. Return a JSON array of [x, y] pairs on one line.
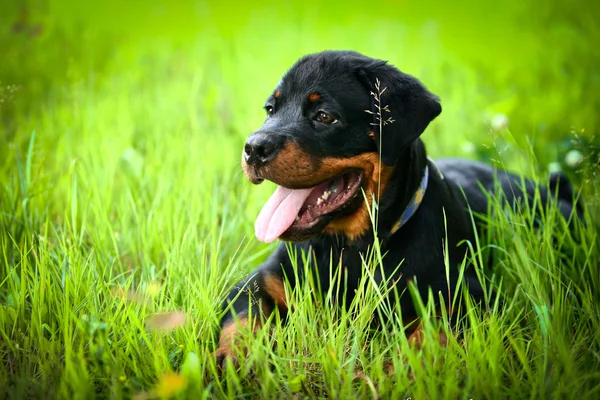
[[252, 301]]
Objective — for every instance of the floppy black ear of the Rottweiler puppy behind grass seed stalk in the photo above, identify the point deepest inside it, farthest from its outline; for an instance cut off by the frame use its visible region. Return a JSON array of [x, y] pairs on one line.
[[401, 108]]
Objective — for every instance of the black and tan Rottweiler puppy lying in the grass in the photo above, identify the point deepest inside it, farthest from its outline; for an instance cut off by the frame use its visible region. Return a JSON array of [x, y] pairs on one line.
[[339, 122]]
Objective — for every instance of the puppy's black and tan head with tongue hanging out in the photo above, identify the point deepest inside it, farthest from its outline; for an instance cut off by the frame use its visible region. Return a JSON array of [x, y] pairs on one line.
[[337, 123]]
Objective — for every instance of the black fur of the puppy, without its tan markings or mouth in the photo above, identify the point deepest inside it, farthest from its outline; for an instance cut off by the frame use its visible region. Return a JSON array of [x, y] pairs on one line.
[[347, 79]]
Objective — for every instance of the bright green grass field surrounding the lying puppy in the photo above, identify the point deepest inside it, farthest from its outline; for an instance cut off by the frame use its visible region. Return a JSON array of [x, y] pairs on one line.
[[125, 218]]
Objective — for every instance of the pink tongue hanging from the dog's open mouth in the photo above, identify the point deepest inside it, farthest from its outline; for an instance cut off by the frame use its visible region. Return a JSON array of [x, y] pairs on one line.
[[279, 213]]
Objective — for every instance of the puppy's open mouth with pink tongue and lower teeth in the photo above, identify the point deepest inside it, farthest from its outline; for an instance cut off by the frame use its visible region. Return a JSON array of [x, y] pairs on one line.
[[295, 214]]
